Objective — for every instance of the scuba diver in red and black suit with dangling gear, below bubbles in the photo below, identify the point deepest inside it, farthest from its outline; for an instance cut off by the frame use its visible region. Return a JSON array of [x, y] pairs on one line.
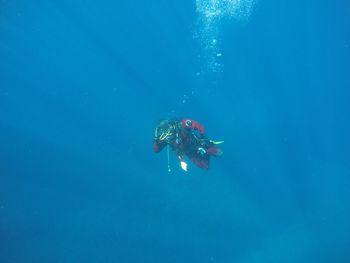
[[187, 138]]
